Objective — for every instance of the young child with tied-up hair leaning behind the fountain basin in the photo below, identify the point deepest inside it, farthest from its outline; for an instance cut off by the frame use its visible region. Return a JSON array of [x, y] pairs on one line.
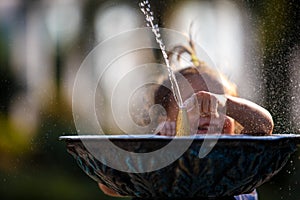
[[212, 103]]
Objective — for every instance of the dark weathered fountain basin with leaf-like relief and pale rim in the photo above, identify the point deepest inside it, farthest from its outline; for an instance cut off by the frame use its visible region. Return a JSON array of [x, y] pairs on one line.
[[236, 164]]
